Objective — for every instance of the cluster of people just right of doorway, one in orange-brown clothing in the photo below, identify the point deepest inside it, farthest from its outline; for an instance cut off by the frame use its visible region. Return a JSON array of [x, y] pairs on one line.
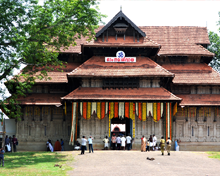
[[150, 143]]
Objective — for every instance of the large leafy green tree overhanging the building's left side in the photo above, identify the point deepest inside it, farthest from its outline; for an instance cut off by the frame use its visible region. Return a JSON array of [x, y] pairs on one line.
[[32, 34]]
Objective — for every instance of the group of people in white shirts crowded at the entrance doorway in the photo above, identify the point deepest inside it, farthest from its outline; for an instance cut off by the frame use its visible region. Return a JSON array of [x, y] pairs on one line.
[[120, 143]]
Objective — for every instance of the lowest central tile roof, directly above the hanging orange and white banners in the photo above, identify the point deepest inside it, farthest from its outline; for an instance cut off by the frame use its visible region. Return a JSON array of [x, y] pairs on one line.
[[144, 94]]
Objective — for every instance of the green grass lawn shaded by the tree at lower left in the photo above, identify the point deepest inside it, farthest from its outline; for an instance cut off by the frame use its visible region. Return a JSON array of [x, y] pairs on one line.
[[36, 163]]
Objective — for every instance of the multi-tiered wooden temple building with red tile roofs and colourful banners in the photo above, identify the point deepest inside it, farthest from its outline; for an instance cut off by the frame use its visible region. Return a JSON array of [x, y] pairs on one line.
[[151, 79]]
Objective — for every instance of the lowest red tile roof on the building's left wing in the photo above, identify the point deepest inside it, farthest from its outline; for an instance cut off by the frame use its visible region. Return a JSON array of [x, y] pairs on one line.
[[41, 99]]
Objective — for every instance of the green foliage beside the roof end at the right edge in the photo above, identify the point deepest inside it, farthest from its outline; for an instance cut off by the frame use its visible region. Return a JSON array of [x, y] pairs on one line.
[[215, 48]]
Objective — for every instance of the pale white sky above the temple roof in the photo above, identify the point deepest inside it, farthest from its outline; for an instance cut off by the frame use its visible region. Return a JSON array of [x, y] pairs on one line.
[[165, 13]]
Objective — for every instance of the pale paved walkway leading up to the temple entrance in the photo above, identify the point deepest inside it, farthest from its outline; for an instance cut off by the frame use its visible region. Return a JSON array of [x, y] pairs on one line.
[[113, 163]]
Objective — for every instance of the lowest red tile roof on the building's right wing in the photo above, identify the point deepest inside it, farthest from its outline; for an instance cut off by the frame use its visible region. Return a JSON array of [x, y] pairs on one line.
[[200, 99]]
